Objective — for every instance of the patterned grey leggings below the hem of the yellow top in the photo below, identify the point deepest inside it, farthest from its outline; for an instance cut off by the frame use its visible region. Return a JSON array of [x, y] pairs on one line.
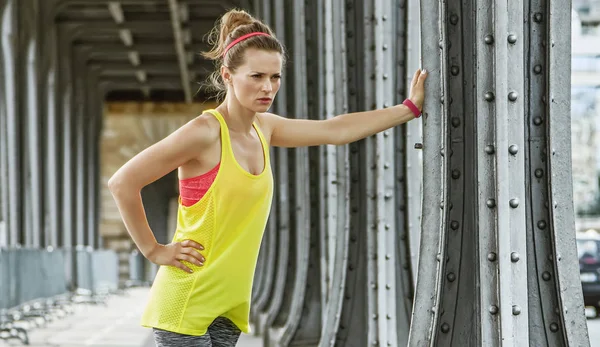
[[221, 333]]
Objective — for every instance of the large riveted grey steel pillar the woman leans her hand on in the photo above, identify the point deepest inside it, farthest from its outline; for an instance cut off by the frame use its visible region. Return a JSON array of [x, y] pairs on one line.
[[497, 263]]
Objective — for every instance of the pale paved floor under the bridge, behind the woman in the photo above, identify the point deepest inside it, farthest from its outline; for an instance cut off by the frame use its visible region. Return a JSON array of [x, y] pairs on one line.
[[117, 325]]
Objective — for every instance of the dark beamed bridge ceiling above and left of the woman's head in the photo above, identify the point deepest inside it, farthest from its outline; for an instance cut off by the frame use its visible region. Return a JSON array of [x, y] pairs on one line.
[[142, 49]]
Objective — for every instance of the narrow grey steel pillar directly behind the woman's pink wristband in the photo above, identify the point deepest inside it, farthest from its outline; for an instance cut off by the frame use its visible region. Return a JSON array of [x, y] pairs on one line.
[[407, 165]]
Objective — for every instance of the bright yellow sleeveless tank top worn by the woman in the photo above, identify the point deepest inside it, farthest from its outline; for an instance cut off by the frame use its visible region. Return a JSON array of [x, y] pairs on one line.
[[229, 221]]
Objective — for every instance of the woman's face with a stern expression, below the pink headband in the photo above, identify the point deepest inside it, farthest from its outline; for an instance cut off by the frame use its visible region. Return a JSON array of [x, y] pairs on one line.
[[257, 81]]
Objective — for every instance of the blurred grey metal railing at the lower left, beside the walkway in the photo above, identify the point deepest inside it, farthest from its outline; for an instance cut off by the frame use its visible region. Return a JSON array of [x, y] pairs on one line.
[[35, 287]]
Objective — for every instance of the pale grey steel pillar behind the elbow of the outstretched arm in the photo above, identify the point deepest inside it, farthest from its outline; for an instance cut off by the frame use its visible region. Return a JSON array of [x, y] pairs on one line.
[[335, 251]]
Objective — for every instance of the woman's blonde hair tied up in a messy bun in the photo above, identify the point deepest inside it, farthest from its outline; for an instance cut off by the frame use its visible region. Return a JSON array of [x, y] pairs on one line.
[[232, 25]]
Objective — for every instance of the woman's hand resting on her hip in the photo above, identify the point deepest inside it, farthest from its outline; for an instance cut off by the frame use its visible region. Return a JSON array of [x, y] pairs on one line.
[[173, 253]]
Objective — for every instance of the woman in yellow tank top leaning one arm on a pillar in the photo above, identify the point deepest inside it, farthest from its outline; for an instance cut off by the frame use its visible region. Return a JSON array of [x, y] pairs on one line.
[[201, 293]]
